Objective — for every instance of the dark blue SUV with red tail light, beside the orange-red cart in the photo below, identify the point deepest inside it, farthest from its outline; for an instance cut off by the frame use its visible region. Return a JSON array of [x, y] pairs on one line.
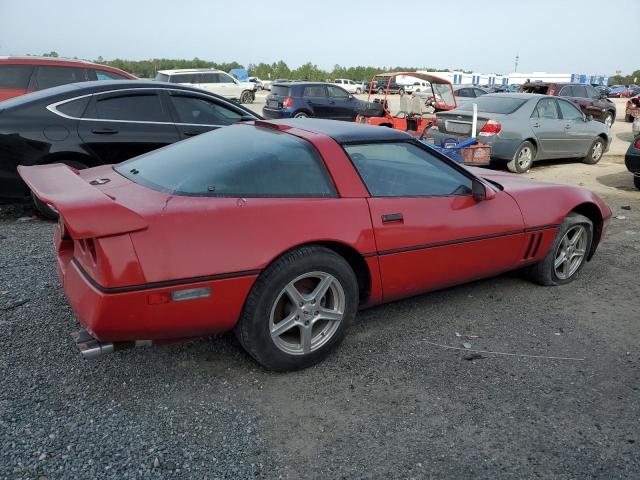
[[310, 99]]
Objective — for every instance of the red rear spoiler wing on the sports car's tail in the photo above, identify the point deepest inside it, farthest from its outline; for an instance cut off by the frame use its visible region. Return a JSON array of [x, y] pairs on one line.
[[86, 211]]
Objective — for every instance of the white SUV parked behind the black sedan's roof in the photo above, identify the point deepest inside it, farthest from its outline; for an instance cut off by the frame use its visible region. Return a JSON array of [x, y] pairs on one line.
[[215, 81]]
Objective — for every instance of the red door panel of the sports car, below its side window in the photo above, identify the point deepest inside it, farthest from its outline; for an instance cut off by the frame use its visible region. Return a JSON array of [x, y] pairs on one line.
[[442, 241]]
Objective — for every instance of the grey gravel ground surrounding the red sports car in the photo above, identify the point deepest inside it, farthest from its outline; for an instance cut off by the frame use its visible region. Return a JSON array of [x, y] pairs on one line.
[[388, 404]]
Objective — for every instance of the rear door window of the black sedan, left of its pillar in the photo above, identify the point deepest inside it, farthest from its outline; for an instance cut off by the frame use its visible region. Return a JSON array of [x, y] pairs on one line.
[[142, 108]]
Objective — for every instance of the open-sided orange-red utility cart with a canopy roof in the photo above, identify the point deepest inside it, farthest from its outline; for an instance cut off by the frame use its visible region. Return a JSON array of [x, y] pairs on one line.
[[416, 110]]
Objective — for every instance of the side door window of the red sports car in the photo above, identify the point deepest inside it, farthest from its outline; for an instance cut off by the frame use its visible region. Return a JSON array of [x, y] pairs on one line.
[[405, 170]]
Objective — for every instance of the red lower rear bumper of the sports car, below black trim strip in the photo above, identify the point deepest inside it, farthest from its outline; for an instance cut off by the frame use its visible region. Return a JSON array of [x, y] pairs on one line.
[[127, 315]]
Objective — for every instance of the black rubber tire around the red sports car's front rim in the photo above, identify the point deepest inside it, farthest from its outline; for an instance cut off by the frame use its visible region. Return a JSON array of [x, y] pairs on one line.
[[544, 272]]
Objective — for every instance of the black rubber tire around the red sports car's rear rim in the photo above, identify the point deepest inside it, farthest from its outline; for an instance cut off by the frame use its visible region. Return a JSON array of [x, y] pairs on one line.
[[253, 329]]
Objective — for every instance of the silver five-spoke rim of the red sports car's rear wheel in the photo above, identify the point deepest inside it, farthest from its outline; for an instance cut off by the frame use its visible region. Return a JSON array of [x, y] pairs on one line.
[[307, 313]]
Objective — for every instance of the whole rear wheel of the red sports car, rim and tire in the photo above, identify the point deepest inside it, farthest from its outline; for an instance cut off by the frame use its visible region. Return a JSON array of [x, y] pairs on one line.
[[299, 309]]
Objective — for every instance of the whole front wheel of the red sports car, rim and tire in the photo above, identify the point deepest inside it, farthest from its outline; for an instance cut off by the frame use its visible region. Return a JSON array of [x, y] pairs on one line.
[[567, 255]]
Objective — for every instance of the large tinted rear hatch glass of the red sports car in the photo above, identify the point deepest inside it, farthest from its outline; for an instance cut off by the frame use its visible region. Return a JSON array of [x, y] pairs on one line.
[[235, 161]]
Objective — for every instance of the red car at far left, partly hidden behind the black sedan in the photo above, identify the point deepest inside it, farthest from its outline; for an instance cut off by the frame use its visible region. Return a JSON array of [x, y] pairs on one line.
[[20, 75]]
